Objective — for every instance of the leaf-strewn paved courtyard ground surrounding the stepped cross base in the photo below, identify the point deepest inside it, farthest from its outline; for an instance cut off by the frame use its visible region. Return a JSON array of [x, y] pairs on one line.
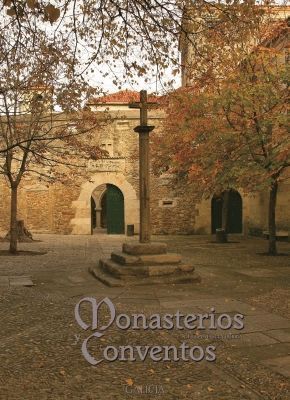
[[40, 348]]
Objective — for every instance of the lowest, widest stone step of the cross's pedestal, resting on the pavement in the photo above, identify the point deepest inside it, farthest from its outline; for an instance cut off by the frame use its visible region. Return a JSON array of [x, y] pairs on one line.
[[111, 281]]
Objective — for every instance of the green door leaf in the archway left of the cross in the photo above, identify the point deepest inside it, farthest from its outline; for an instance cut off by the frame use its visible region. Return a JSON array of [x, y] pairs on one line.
[[115, 210]]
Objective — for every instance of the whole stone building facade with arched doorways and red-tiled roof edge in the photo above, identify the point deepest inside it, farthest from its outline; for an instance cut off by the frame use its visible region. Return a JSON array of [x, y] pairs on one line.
[[83, 207]]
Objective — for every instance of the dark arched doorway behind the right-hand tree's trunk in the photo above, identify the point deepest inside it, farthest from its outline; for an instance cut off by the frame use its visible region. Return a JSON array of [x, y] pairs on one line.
[[235, 212]]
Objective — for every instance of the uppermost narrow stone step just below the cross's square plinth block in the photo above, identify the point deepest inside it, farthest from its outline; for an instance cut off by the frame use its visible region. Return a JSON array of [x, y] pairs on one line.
[[151, 259]]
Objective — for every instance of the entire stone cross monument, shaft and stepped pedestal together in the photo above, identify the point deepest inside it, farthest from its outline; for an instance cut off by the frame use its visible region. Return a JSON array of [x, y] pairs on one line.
[[146, 262]]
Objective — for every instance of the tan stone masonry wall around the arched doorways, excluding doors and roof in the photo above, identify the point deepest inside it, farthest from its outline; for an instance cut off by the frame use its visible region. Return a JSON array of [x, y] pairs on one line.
[[66, 208]]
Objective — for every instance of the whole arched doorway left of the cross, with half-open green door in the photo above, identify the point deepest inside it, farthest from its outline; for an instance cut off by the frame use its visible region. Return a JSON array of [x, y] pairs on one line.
[[107, 209]]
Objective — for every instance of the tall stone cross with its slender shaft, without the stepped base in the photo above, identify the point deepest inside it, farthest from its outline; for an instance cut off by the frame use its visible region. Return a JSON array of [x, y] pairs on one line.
[[144, 166]]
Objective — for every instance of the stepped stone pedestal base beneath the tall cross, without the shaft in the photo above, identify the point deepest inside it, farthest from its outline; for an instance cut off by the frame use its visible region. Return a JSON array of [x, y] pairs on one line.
[[144, 264]]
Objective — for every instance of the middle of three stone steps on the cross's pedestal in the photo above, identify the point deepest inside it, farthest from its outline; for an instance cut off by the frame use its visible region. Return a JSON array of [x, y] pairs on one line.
[[119, 270]]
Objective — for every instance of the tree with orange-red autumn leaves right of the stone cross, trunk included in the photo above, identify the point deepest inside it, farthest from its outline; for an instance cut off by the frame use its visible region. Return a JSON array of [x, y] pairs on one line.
[[235, 136]]
